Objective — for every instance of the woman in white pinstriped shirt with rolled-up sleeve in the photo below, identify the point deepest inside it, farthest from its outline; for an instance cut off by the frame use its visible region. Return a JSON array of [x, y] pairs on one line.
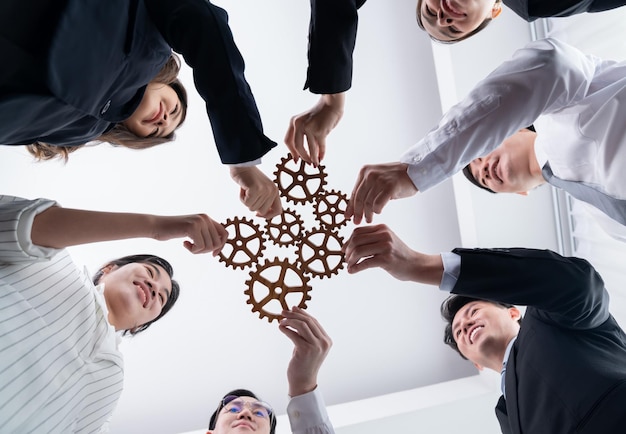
[[60, 367]]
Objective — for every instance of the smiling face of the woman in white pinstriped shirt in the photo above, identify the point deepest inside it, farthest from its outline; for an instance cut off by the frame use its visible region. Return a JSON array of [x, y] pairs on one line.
[[135, 293]]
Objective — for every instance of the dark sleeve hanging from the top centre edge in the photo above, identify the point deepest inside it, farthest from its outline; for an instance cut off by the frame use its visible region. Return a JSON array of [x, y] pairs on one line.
[[332, 37]]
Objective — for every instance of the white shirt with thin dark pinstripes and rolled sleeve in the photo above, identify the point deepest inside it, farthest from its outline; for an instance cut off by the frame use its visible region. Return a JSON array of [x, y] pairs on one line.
[[60, 369]]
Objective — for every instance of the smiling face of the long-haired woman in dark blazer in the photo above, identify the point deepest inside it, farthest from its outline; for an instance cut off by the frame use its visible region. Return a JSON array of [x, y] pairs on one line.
[[159, 113]]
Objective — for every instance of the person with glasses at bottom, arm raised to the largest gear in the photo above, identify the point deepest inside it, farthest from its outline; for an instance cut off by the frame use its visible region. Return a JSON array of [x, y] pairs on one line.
[[241, 410]]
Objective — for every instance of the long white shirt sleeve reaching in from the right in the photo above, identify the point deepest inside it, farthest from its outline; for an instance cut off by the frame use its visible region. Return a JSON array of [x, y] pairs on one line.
[[541, 78]]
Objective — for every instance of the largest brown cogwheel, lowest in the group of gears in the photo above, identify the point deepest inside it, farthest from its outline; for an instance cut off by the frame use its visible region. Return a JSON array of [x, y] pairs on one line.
[[277, 285]]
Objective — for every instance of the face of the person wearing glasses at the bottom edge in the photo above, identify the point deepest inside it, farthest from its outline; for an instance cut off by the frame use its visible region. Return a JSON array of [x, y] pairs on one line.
[[247, 418]]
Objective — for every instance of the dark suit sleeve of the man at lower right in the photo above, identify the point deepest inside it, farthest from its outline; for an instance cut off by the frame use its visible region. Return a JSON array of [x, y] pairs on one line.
[[561, 290]]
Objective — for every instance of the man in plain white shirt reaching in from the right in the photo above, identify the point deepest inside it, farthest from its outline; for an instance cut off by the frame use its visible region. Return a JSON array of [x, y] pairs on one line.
[[577, 104]]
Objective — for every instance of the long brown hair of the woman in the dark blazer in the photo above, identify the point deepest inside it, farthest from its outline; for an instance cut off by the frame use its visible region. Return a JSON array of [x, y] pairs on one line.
[[119, 135]]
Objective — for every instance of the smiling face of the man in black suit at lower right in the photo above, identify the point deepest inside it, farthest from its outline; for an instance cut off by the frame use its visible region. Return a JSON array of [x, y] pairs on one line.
[[482, 331]]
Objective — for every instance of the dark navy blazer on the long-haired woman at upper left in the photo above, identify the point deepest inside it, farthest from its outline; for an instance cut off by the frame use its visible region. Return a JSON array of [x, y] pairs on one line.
[[100, 58]]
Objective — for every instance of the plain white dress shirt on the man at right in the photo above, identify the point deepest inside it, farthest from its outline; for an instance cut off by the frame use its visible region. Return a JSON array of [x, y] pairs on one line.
[[577, 103]]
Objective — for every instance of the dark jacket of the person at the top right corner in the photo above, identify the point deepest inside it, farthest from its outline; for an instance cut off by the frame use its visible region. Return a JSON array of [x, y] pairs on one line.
[[531, 10]]
